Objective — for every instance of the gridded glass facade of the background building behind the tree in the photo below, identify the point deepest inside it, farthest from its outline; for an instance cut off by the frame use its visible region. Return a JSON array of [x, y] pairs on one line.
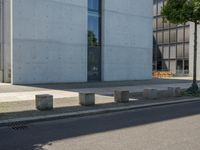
[[170, 45]]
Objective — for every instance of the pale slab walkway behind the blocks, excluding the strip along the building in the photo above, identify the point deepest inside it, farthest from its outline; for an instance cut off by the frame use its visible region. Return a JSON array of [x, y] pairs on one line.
[[65, 93]]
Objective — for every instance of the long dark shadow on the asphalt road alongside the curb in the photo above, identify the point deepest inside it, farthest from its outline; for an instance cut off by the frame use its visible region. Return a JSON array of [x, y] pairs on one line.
[[39, 135]]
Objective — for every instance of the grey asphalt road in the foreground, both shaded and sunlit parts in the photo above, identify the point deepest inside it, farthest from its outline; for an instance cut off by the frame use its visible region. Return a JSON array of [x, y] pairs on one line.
[[174, 127]]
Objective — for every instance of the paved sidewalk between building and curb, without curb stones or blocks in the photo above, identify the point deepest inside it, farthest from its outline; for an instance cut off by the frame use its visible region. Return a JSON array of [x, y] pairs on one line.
[[17, 101]]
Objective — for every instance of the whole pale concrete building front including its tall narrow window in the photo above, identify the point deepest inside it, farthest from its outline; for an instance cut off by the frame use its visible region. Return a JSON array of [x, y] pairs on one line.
[[50, 41]]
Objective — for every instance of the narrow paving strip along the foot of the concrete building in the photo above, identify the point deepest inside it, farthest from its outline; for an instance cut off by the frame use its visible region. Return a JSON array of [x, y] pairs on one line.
[[75, 86]]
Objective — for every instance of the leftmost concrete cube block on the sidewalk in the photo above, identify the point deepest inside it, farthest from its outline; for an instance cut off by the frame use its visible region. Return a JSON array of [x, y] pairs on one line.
[[44, 102]]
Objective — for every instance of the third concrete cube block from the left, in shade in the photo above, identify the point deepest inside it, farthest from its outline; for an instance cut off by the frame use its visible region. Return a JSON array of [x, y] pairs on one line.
[[121, 96]]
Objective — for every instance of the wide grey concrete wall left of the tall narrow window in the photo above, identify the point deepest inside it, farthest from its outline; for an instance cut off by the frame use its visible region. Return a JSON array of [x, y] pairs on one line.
[[50, 43]]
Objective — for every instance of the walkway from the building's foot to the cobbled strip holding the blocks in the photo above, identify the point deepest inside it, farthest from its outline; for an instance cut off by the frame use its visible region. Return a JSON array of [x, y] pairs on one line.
[[10, 93]]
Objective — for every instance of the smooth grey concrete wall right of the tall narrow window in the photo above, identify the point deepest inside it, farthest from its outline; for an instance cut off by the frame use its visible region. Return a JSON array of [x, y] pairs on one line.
[[127, 37]]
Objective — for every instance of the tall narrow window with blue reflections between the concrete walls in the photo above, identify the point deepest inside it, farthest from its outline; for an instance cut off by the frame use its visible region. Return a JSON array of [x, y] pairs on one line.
[[94, 40]]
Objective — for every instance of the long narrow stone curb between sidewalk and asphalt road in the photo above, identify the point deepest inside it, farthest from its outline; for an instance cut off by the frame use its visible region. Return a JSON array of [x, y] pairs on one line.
[[91, 112]]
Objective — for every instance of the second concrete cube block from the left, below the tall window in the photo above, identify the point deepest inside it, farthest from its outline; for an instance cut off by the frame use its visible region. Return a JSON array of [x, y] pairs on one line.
[[87, 99]]
